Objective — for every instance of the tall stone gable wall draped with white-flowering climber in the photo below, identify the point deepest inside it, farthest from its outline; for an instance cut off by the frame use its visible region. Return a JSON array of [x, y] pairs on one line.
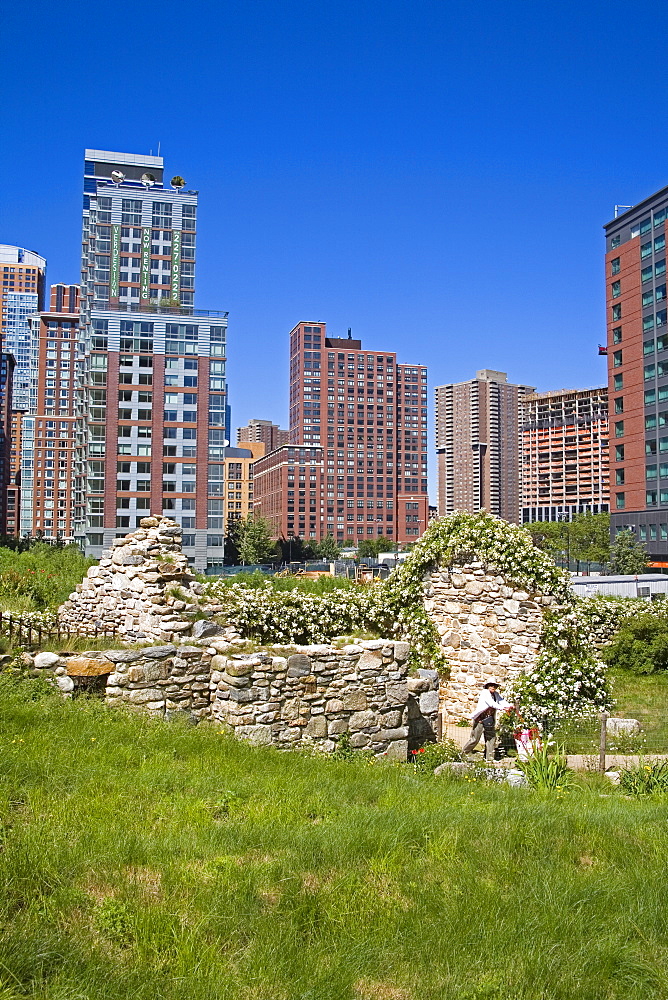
[[487, 629]]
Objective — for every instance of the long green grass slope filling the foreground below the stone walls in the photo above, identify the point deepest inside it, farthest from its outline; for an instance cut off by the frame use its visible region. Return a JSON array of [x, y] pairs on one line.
[[152, 860]]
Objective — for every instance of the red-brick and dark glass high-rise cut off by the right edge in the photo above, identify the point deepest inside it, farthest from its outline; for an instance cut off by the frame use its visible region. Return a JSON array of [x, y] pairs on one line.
[[637, 322]]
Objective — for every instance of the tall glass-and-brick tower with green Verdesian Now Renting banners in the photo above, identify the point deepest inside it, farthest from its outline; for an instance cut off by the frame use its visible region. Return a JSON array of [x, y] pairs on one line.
[[152, 406]]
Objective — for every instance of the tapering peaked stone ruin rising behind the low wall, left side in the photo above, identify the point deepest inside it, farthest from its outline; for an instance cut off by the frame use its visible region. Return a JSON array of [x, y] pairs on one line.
[[129, 591]]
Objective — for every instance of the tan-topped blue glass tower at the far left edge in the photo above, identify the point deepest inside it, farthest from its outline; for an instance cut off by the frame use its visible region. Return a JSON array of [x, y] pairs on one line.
[[23, 281]]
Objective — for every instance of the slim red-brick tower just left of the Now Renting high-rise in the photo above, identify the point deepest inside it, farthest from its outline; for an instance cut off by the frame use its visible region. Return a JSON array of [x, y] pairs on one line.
[[47, 430]]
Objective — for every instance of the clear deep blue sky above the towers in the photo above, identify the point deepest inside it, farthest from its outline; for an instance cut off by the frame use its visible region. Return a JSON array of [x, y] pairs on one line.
[[433, 174]]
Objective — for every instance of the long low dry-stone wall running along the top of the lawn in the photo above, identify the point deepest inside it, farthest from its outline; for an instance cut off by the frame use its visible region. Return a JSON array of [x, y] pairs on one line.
[[311, 695]]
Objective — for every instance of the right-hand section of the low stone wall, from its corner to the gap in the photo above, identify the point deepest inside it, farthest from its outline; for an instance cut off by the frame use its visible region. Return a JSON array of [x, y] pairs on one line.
[[320, 692]]
